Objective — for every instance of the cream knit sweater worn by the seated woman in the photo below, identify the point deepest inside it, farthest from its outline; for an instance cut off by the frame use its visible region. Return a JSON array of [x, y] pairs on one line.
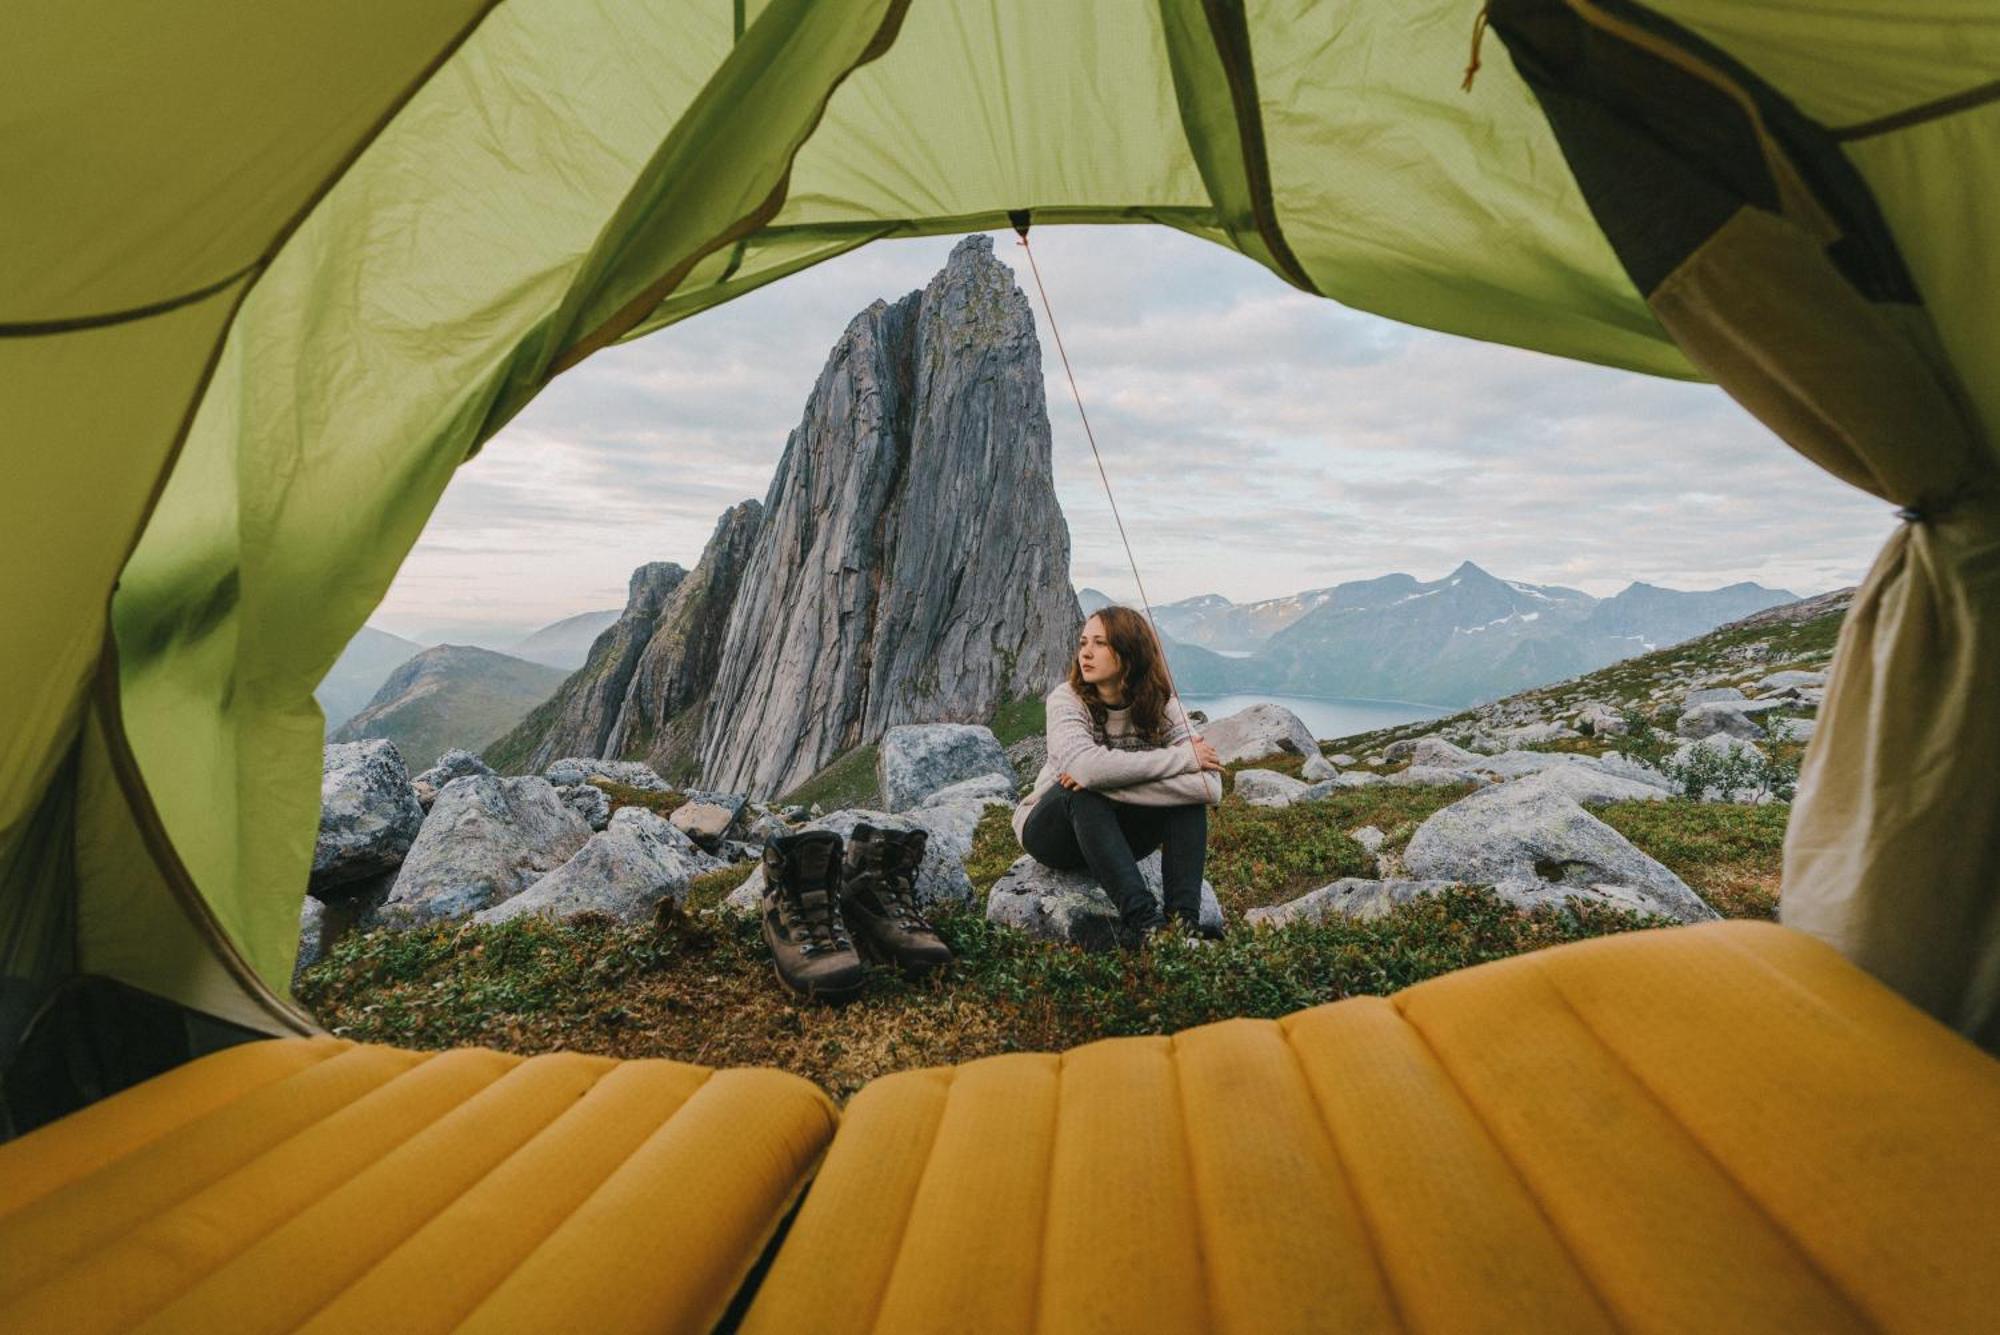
[[1159, 776]]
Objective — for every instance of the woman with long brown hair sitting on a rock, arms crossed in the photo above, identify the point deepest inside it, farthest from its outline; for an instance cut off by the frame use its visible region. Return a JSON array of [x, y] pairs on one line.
[[1125, 776]]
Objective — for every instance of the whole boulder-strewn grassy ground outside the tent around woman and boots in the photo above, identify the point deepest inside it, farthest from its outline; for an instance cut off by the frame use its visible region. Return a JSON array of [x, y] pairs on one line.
[[593, 906]]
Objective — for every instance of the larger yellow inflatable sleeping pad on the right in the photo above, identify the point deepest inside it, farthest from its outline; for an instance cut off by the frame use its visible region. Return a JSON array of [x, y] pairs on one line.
[[1715, 1128]]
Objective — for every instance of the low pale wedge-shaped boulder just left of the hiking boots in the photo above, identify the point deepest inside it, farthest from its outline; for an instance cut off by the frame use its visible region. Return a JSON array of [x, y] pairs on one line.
[[627, 870]]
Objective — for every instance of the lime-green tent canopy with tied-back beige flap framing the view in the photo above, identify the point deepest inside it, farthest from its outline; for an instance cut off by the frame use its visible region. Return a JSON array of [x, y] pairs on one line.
[[275, 271]]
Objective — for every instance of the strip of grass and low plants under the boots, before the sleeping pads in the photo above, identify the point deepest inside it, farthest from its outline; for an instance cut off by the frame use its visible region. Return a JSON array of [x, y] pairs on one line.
[[701, 990]]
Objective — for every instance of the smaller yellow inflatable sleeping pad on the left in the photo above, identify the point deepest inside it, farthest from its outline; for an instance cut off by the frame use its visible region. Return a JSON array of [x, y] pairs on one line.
[[323, 1186]]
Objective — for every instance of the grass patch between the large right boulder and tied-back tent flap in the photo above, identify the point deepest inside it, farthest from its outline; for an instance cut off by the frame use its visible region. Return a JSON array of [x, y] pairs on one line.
[[1729, 854]]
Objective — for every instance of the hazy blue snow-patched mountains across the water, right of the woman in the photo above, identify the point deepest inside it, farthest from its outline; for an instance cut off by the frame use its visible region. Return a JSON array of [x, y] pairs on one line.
[[1451, 643]]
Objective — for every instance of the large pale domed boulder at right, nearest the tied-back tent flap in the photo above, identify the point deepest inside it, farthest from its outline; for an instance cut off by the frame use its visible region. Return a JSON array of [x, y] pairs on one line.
[[1519, 832]]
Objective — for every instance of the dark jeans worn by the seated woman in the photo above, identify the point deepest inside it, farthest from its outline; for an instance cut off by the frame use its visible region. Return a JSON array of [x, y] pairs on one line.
[[1073, 830]]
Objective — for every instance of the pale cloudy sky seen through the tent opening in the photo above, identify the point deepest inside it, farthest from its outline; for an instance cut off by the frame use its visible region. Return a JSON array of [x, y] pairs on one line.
[[1261, 443]]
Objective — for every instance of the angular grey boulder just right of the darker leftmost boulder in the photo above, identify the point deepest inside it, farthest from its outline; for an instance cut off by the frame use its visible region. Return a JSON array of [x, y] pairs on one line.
[[487, 840]]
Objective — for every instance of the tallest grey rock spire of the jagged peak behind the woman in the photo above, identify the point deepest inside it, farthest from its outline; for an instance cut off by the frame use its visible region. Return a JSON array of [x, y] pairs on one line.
[[913, 565]]
